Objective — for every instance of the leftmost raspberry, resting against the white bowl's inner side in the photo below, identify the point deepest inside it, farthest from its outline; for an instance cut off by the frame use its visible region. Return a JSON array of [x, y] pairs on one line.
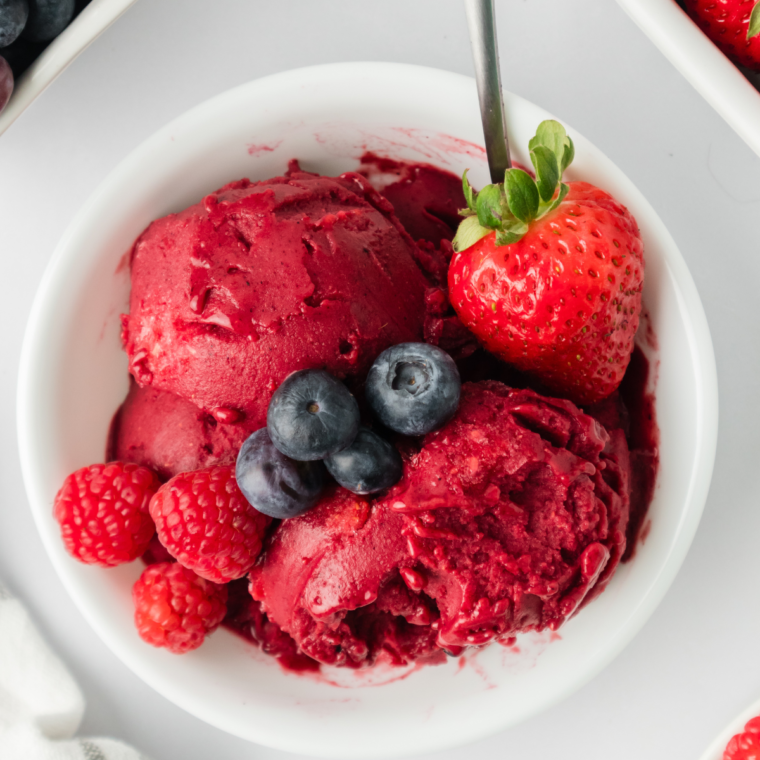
[[103, 512]]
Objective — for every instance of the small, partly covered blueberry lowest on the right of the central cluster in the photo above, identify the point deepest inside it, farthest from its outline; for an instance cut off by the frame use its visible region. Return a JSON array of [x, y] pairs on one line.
[[368, 465]]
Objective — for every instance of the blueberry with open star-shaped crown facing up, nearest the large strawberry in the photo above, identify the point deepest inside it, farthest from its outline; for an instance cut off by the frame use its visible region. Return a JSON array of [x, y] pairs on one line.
[[413, 388]]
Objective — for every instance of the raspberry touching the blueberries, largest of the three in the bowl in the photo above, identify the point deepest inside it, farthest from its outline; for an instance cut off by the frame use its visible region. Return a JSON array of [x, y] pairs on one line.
[[207, 524]]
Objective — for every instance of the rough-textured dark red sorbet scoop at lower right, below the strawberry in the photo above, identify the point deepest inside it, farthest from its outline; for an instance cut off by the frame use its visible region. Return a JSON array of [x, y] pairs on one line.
[[506, 520]]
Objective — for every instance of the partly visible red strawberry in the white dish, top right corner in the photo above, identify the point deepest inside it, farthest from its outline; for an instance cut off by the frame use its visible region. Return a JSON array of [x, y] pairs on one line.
[[733, 25]]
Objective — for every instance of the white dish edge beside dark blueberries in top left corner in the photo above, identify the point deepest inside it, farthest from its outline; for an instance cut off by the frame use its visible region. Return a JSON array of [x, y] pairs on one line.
[[94, 19]]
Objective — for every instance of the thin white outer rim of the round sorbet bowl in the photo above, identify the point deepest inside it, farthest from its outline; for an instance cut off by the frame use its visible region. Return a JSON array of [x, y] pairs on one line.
[[694, 500]]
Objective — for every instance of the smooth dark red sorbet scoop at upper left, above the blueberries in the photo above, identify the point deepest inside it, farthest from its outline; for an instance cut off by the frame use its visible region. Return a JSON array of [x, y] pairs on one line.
[[260, 279]]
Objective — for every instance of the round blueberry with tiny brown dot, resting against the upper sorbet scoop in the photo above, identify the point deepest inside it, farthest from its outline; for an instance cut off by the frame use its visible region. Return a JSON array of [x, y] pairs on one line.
[[312, 415]]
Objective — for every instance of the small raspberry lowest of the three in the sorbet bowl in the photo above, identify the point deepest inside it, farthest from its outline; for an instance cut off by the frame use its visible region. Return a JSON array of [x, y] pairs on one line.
[[175, 608]]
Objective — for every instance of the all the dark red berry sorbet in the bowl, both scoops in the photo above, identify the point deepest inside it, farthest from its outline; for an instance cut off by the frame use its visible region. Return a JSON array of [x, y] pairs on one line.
[[508, 519]]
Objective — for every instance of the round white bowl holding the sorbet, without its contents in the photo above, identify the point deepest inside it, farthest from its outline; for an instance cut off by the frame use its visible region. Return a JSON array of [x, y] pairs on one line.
[[74, 376]]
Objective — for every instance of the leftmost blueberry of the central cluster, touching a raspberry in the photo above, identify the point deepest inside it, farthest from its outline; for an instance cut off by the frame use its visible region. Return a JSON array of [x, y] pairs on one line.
[[272, 483]]
